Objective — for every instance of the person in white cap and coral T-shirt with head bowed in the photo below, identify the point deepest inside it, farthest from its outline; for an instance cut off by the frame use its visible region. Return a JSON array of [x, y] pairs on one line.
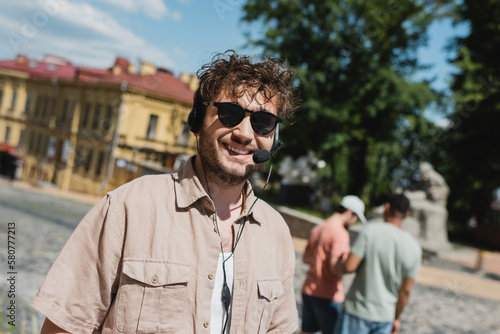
[[323, 292]]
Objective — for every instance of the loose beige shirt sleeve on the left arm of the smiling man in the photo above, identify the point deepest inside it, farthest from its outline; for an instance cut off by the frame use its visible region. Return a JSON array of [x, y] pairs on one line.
[[79, 288]]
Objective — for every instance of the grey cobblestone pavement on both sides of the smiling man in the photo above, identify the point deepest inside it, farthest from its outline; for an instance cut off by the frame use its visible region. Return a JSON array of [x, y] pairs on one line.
[[43, 224]]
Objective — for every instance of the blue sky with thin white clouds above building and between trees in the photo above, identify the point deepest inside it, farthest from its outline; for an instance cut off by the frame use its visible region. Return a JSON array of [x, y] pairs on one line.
[[180, 35]]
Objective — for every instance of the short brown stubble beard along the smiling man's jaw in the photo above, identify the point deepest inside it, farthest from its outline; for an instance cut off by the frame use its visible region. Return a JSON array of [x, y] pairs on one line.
[[215, 169]]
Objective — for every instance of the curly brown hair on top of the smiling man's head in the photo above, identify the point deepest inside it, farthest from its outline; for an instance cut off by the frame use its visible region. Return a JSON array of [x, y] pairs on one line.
[[236, 75]]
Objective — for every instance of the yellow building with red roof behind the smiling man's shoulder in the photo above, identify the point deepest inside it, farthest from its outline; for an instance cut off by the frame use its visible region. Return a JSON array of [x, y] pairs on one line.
[[91, 130]]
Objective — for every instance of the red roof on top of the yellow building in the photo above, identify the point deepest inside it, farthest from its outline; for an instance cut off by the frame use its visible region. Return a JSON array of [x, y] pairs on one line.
[[163, 83]]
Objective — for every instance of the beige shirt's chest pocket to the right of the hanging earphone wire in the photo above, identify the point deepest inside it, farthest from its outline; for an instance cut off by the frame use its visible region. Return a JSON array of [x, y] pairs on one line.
[[269, 290]]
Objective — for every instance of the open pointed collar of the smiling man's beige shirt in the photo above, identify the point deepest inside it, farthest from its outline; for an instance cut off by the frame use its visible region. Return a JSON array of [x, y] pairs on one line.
[[188, 190]]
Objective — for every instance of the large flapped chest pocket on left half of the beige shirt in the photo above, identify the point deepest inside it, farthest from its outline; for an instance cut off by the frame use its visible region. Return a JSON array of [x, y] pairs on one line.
[[152, 296]]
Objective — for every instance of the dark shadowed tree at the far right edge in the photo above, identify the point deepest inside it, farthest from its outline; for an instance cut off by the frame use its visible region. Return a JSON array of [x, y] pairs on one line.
[[473, 138]]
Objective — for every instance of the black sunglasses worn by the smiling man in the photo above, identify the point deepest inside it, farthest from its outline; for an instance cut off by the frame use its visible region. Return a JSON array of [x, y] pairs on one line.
[[231, 114]]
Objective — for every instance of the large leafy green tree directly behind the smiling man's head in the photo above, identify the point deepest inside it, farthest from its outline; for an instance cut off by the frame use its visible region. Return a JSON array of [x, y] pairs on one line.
[[352, 60]]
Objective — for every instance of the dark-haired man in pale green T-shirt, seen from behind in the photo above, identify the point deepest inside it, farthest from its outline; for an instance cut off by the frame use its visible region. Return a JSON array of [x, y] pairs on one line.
[[387, 260]]
